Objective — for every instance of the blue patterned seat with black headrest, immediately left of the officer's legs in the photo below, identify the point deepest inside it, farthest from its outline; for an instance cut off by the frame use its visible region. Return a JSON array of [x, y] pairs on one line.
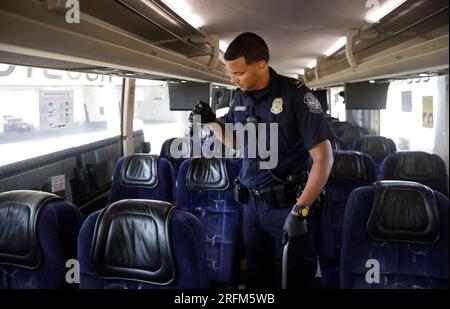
[[206, 189]]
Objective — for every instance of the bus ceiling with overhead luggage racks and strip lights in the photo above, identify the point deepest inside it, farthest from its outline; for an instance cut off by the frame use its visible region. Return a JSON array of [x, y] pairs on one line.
[[322, 43]]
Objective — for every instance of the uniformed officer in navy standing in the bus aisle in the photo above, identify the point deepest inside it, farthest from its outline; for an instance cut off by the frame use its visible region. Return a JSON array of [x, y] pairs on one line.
[[303, 132]]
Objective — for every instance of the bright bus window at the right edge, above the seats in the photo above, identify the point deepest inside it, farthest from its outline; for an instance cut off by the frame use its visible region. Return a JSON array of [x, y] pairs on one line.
[[416, 115]]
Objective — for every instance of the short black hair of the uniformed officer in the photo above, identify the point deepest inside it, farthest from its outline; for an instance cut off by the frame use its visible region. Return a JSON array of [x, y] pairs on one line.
[[248, 45]]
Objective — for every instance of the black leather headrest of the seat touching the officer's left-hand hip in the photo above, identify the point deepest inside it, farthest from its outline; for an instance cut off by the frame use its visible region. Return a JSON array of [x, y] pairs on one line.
[[207, 174]]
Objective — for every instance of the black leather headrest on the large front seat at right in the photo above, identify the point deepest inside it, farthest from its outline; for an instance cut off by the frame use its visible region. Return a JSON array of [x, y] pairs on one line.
[[404, 211]]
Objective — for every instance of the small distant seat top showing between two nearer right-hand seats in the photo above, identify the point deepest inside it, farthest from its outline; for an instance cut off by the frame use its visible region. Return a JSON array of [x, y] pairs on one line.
[[379, 147]]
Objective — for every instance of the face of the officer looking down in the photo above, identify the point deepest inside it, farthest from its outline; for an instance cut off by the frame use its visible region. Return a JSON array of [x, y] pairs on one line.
[[247, 76]]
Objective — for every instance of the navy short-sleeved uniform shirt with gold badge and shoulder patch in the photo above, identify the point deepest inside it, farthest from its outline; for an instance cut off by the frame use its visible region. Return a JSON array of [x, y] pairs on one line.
[[301, 126]]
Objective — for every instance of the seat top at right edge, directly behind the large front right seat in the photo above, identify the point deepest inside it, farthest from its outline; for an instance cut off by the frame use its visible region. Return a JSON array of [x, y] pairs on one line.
[[422, 167]]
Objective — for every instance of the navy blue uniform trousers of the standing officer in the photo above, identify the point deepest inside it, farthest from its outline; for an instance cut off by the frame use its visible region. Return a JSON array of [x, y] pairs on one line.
[[262, 235]]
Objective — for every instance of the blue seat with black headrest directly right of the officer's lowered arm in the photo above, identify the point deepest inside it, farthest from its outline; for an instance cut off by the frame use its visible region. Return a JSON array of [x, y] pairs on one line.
[[350, 170]]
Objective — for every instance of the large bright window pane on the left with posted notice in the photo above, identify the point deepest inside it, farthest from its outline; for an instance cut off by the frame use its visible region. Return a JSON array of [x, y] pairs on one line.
[[44, 111]]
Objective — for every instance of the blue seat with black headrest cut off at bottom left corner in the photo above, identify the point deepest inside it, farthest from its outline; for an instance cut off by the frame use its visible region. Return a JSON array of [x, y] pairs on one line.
[[38, 235]]
